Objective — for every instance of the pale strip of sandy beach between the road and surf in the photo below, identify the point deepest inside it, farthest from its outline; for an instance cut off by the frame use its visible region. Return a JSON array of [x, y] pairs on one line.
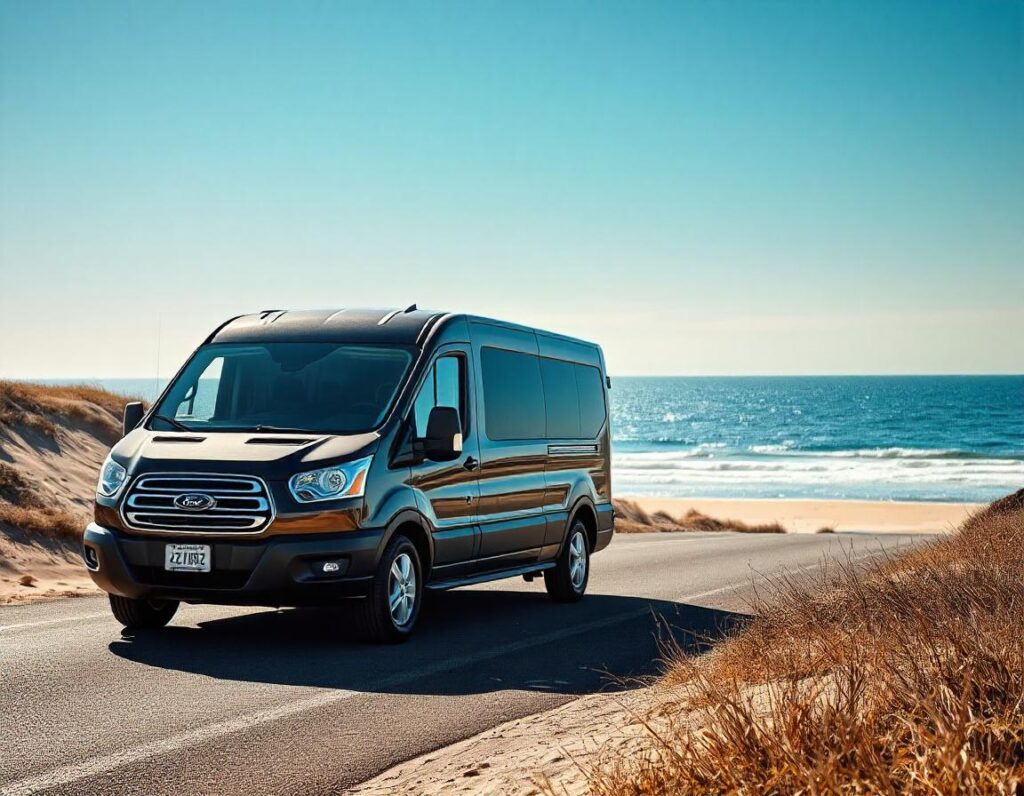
[[808, 516]]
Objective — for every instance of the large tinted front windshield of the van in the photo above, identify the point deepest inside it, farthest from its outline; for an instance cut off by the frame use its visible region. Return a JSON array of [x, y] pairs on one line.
[[289, 387]]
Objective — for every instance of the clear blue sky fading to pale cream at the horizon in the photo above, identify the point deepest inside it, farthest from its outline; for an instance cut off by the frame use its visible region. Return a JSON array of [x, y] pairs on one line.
[[702, 188]]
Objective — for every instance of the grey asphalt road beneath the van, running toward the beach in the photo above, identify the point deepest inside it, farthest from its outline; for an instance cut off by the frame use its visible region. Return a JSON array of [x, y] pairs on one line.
[[266, 702]]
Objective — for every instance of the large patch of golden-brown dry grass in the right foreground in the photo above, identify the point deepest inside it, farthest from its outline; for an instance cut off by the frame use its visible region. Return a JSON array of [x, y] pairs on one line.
[[900, 677]]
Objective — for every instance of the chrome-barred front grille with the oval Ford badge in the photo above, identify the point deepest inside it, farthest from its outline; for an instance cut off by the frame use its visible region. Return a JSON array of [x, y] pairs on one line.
[[240, 505]]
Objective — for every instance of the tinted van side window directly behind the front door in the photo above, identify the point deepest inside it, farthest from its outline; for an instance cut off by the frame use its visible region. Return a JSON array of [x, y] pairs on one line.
[[514, 396]]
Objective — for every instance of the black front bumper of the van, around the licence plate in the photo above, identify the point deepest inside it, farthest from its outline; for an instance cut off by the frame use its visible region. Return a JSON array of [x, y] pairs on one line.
[[272, 572]]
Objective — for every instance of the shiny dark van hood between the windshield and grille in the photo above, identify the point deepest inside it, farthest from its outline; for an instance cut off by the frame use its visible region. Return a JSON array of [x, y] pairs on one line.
[[274, 456]]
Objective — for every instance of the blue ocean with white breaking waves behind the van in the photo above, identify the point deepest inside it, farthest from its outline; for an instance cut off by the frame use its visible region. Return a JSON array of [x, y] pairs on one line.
[[872, 438]]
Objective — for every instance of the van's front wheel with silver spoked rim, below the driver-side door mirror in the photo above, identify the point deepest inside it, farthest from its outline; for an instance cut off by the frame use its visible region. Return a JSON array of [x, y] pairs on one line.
[[388, 615]]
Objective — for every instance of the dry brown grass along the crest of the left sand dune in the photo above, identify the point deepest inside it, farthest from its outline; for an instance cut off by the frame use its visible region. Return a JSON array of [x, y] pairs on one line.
[[41, 408]]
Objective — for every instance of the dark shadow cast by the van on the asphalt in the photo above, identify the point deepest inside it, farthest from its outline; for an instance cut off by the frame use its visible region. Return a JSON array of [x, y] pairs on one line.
[[470, 642]]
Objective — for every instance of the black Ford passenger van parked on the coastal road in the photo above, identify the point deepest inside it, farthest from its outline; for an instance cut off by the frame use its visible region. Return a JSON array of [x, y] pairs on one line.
[[301, 457]]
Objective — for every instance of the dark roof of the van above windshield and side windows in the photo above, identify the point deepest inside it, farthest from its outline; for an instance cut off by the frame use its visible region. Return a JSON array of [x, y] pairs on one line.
[[403, 327]]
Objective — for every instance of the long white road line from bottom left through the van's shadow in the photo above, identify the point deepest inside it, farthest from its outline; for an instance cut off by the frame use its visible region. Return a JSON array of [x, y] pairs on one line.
[[105, 764]]
